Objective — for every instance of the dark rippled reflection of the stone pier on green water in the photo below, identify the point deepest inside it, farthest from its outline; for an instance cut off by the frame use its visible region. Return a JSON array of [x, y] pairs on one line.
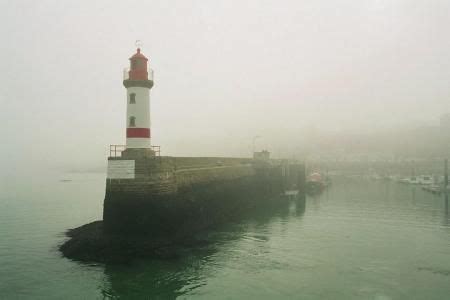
[[192, 266]]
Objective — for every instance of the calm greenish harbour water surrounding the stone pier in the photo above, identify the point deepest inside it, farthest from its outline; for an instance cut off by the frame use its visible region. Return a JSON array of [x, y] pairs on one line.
[[358, 240]]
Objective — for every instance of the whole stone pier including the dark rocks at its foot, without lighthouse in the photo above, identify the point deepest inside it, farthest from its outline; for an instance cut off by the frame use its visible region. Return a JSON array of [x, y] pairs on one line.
[[152, 203]]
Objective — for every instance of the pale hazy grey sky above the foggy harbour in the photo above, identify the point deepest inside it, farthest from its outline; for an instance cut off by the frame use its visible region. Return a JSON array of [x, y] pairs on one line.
[[225, 71]]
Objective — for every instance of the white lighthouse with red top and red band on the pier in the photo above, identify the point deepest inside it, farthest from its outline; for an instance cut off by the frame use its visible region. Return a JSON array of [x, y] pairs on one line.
[[138, 81]]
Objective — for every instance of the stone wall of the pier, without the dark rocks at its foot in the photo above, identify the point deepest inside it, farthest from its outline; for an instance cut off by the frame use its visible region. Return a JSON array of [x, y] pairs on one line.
[[180, 195]]
